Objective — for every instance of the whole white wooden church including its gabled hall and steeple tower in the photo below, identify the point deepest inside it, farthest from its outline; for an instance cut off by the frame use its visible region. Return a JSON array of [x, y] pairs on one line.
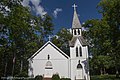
[[49, 59]]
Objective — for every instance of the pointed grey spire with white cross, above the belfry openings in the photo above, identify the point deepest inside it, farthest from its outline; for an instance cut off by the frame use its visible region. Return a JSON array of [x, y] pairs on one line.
[[76, 22]]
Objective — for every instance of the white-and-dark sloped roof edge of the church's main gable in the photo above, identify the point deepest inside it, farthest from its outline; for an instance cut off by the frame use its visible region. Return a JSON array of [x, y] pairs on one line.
[[49, 42]]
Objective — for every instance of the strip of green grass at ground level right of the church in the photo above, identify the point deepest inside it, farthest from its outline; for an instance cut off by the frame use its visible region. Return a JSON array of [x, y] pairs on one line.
[[104, 77]]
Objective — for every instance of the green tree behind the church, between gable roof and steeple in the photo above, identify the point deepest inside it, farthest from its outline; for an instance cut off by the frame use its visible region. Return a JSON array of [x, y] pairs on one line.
[[62, 39]]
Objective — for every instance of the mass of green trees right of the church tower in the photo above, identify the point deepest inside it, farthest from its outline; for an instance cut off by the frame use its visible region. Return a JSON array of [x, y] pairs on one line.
[[103, 35]]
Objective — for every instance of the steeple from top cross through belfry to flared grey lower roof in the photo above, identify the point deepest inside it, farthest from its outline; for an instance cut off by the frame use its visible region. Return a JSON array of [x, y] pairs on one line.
[[77, 29]]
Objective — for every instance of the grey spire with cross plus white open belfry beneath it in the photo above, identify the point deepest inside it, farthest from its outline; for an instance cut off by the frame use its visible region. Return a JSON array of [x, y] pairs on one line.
[[76, 25]]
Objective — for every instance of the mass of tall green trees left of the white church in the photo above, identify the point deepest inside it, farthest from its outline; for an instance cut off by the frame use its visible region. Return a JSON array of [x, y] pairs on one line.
[[21, 34]]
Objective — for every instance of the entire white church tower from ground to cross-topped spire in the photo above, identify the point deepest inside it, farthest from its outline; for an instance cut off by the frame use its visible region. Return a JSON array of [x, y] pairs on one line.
[[78, 51]]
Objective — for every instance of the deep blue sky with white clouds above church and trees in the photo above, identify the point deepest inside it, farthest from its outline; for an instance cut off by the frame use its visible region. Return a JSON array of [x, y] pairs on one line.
[[61, 11]]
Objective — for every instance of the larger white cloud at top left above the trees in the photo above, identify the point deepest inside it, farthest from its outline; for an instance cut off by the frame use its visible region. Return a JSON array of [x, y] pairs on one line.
[[36, 7]]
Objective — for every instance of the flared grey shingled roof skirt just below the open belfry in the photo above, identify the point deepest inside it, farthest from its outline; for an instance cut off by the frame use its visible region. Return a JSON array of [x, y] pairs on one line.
[[80, 38]]
